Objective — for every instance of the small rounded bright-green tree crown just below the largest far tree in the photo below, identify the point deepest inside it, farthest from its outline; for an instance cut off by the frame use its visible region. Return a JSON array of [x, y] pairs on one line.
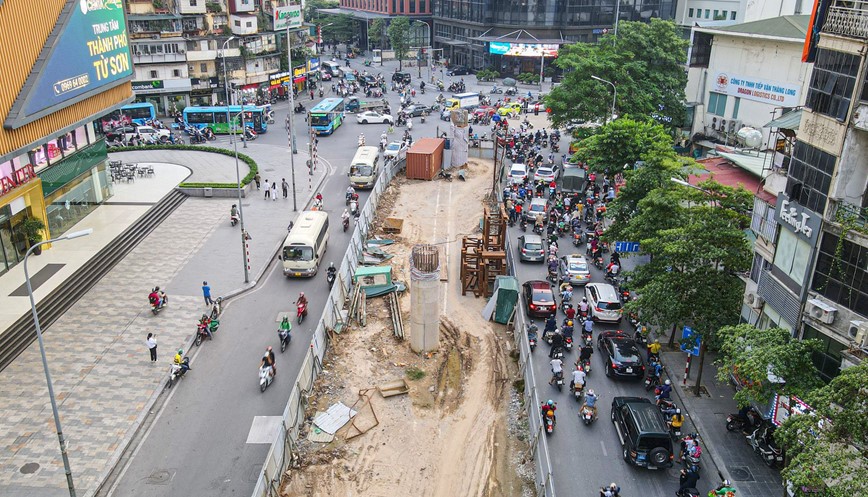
[[621, 143]]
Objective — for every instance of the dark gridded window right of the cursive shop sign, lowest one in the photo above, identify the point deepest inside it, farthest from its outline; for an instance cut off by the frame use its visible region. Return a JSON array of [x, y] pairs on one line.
[[842, 280]]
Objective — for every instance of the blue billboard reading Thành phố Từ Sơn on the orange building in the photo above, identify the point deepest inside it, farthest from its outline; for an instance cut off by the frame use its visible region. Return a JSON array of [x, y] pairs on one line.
[[86, 52]]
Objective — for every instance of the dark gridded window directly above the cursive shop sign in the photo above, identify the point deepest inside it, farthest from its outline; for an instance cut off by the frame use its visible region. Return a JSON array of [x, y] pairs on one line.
[[809, 176]]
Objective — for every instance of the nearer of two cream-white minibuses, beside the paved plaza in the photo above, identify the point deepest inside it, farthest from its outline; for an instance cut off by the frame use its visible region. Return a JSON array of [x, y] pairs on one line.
[[306, 244]]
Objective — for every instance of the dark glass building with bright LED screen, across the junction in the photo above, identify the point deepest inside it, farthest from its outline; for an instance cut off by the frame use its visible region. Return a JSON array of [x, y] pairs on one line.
[[466, 29]]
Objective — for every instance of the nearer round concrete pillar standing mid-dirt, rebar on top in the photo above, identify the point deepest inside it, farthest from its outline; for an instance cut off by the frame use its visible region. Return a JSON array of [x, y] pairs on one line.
[[424, 298]]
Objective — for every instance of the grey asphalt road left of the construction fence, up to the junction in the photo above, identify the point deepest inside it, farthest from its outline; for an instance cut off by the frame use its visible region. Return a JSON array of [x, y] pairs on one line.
[[197, 443]]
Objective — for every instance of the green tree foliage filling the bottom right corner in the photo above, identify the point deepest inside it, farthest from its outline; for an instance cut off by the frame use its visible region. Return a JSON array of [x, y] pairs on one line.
[[827, 449]]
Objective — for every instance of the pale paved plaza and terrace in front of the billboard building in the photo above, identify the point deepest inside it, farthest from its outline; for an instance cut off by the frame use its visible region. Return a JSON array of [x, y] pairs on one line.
[[104, 381]]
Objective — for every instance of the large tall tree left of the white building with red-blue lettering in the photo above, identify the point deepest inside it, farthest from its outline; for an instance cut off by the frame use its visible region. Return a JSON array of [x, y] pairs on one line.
[[646, 64]]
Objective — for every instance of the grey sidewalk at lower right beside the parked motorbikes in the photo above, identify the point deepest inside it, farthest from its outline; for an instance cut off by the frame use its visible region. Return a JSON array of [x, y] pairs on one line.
[[729, 451]]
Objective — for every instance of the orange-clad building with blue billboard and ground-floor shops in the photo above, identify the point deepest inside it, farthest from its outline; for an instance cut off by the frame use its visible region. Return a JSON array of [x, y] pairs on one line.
[[64, 64]]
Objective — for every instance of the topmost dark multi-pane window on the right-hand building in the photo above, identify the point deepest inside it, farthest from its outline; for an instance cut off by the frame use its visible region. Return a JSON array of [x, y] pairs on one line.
[[833, 81]]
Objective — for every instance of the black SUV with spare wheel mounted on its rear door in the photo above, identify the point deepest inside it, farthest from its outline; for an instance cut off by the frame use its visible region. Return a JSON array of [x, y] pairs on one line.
[[643, 433]]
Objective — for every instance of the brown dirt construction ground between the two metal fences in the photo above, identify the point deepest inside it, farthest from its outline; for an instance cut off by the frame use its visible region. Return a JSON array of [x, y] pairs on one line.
[[461, 429]]
